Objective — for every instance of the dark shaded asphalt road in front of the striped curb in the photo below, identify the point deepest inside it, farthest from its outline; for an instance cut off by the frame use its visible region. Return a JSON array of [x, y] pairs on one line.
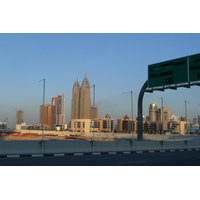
[[183, 158]]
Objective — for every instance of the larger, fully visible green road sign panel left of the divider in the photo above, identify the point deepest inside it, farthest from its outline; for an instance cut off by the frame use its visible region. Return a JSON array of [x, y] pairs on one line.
[[168, 72]]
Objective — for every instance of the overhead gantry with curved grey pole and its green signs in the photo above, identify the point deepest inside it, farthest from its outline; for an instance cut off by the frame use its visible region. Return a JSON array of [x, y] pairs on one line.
[[180, 72]]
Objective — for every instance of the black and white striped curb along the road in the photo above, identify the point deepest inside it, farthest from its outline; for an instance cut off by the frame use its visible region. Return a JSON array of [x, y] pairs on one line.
[[94, 153]]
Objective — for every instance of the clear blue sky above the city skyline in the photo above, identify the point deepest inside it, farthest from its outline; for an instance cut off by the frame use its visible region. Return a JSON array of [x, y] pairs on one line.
[[115, 63]]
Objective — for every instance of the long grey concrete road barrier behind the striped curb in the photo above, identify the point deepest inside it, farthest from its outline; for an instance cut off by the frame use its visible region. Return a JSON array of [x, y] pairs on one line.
[[73, 146]]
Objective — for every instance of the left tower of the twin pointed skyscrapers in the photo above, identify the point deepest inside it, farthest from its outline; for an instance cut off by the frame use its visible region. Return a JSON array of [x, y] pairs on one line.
[[75, 101]]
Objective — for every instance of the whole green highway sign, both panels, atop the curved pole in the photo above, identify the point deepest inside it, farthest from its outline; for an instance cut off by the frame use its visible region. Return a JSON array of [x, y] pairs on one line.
[[176, 71]]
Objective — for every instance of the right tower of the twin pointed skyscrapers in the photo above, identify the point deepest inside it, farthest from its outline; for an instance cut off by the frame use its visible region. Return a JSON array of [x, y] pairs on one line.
[[85, 100]]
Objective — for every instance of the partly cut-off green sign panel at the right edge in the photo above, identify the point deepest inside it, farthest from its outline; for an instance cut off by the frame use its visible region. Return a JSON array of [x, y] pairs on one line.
[[194, 68]]
